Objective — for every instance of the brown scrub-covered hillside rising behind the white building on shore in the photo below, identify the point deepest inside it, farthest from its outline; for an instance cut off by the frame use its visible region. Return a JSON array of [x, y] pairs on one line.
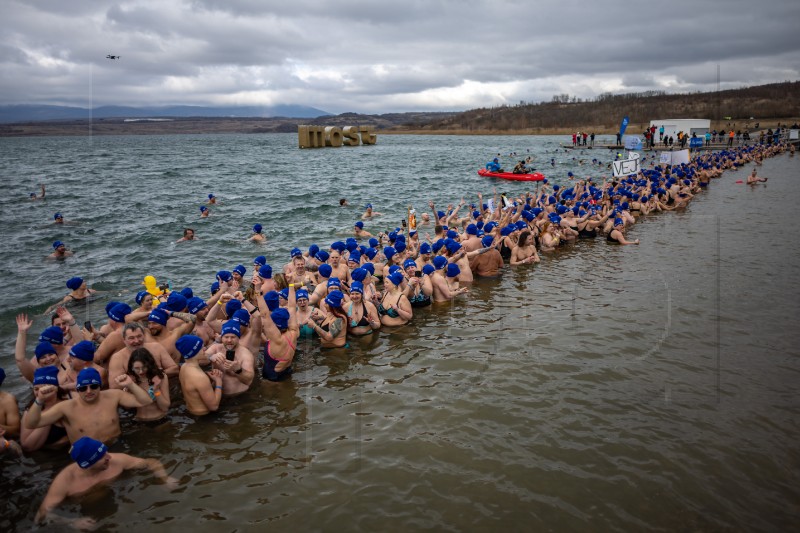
[[604, 113]]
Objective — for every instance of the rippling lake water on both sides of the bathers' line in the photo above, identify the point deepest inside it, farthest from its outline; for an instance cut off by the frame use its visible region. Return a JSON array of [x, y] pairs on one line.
[[607, 388]]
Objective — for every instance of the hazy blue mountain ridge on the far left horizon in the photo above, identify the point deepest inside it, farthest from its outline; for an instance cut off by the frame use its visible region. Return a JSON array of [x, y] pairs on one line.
[[39, 113]]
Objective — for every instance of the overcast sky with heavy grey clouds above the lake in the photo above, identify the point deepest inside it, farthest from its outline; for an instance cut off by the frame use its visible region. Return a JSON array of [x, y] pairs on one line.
[[380, 56]]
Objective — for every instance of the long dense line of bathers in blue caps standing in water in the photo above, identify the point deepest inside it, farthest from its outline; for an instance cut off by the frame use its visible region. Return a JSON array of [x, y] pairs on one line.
[[168, 348]]
